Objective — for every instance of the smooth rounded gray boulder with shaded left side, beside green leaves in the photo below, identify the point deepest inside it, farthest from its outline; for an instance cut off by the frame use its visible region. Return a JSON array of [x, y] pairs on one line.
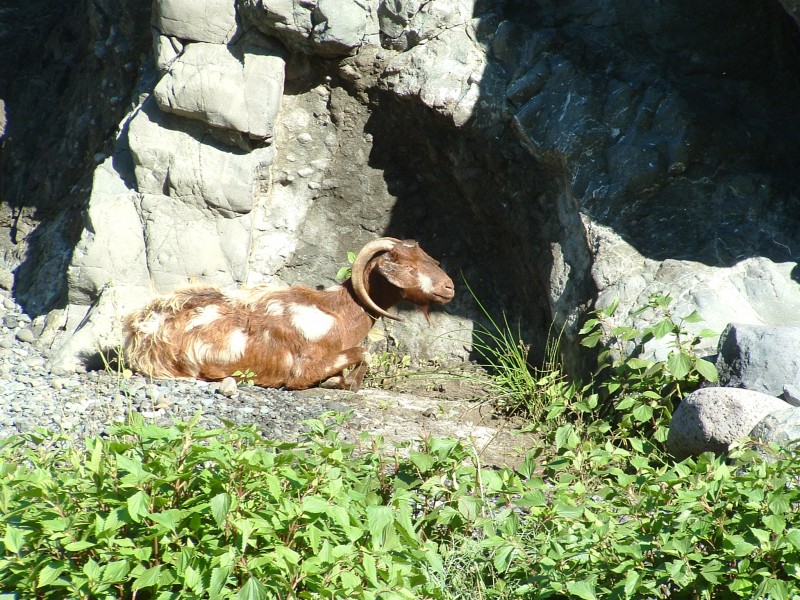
[[711, 419]]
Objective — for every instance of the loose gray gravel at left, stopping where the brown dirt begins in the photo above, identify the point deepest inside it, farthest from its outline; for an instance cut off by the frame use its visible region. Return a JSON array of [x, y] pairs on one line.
[[87, 403]]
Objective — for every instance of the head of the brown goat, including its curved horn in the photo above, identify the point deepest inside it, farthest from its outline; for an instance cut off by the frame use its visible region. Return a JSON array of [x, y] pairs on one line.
[[403, 264]]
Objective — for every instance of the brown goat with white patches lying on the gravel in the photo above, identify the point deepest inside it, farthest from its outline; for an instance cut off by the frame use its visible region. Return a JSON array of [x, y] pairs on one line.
[[291, 338]]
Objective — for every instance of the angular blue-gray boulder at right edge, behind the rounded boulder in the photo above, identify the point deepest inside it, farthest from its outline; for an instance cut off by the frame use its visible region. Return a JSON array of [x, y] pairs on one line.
[[760, 358]]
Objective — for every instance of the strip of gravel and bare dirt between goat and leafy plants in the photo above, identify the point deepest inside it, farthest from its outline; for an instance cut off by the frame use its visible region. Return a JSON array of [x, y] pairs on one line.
[[86, 404]]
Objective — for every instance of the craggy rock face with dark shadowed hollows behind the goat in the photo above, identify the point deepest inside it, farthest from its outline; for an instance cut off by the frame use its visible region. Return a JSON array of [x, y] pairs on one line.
[[556, 154]]
